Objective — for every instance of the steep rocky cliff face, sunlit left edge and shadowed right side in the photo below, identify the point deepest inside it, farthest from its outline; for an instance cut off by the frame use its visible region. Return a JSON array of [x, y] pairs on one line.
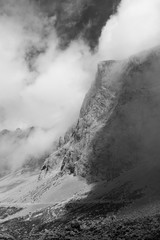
[[119, 122]]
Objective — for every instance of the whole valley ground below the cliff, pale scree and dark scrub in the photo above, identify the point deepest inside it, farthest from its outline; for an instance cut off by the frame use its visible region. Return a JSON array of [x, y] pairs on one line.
[[66, 207]]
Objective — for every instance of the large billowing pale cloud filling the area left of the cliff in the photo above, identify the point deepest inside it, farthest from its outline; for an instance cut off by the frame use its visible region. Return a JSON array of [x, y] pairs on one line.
[[40, 84]]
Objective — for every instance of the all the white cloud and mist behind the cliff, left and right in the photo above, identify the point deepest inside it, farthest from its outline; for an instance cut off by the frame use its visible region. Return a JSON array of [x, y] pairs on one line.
[[42, 85]]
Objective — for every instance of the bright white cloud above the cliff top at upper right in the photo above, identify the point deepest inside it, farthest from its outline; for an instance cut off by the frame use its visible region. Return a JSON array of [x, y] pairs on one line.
[[136, 27]]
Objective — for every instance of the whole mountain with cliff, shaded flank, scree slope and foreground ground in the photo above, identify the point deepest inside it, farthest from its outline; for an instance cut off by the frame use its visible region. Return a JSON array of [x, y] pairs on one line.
[[102, 181]]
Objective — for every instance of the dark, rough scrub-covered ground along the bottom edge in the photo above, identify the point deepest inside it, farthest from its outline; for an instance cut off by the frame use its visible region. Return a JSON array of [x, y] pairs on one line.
[[87, 221]]
